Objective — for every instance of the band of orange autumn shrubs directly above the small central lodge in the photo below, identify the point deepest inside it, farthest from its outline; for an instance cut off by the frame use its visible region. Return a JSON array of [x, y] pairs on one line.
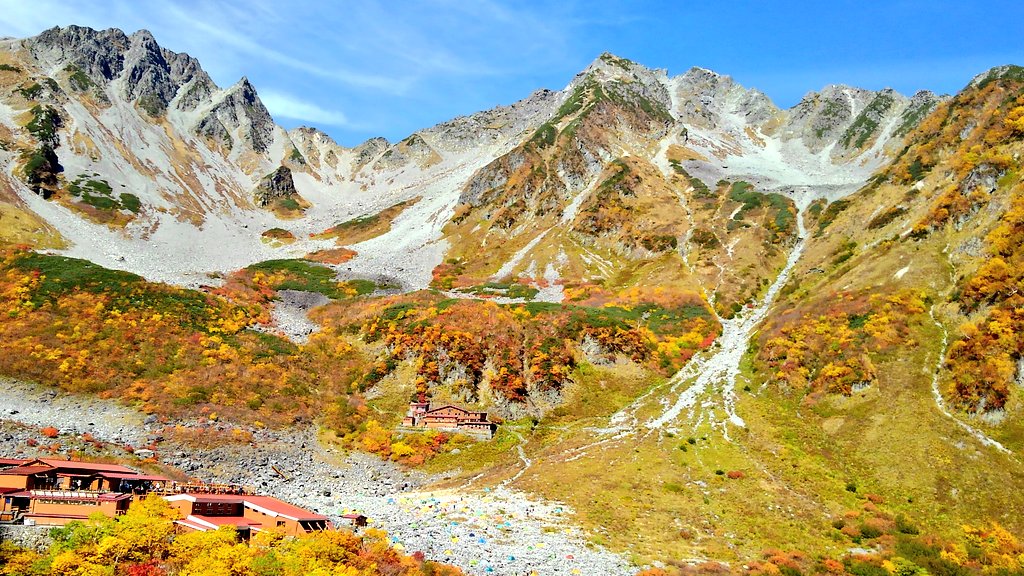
[[515, 349]]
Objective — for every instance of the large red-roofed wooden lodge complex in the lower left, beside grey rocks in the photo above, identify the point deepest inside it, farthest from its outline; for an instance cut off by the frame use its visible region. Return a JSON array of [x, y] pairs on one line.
[[52, 492]]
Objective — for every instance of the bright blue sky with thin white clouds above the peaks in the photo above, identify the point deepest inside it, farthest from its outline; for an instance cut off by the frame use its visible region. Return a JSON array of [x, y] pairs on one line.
[[360, 69]]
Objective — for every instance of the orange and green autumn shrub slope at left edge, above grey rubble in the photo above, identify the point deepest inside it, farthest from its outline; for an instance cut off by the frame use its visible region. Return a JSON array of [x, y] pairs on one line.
[[179, 352]]
